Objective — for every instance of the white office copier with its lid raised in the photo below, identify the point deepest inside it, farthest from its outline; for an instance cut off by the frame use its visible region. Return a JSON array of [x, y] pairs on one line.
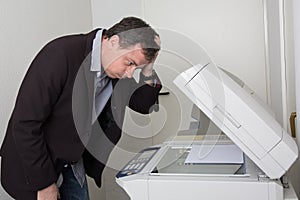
[[247, 161]]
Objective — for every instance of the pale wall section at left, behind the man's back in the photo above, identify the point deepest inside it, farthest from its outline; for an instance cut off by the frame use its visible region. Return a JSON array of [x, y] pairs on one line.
[[25, 26]]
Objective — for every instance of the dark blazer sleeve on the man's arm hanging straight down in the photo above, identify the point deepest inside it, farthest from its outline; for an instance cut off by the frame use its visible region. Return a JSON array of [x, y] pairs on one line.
[[37, 96]]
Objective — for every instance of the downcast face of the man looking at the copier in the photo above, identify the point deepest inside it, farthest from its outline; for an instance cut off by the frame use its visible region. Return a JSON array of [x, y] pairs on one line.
[[119, 62]]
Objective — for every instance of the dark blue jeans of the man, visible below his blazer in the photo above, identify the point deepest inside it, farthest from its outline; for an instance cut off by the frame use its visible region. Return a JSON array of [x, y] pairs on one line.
[[70, 188]]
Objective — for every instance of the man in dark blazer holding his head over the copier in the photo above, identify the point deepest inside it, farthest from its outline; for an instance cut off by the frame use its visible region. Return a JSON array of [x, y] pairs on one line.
[[70, 109]]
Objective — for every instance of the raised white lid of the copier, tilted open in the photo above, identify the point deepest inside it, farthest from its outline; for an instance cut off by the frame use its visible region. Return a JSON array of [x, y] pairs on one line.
[[240, 117]]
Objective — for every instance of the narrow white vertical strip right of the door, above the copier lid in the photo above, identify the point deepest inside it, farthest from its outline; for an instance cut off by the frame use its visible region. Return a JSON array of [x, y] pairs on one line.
[[275, 58]]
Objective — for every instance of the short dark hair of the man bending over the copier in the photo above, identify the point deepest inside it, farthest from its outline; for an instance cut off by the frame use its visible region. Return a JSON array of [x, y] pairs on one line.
[[132, 31]]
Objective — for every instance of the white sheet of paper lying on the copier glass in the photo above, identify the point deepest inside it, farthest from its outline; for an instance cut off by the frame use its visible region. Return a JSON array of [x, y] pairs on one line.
[[215, 154]]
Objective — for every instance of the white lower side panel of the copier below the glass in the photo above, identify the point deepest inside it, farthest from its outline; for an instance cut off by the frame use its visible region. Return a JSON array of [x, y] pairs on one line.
[[161, 188]]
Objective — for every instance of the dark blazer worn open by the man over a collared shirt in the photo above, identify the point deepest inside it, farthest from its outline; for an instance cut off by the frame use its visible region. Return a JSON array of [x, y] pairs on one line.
[[51, 122]]
